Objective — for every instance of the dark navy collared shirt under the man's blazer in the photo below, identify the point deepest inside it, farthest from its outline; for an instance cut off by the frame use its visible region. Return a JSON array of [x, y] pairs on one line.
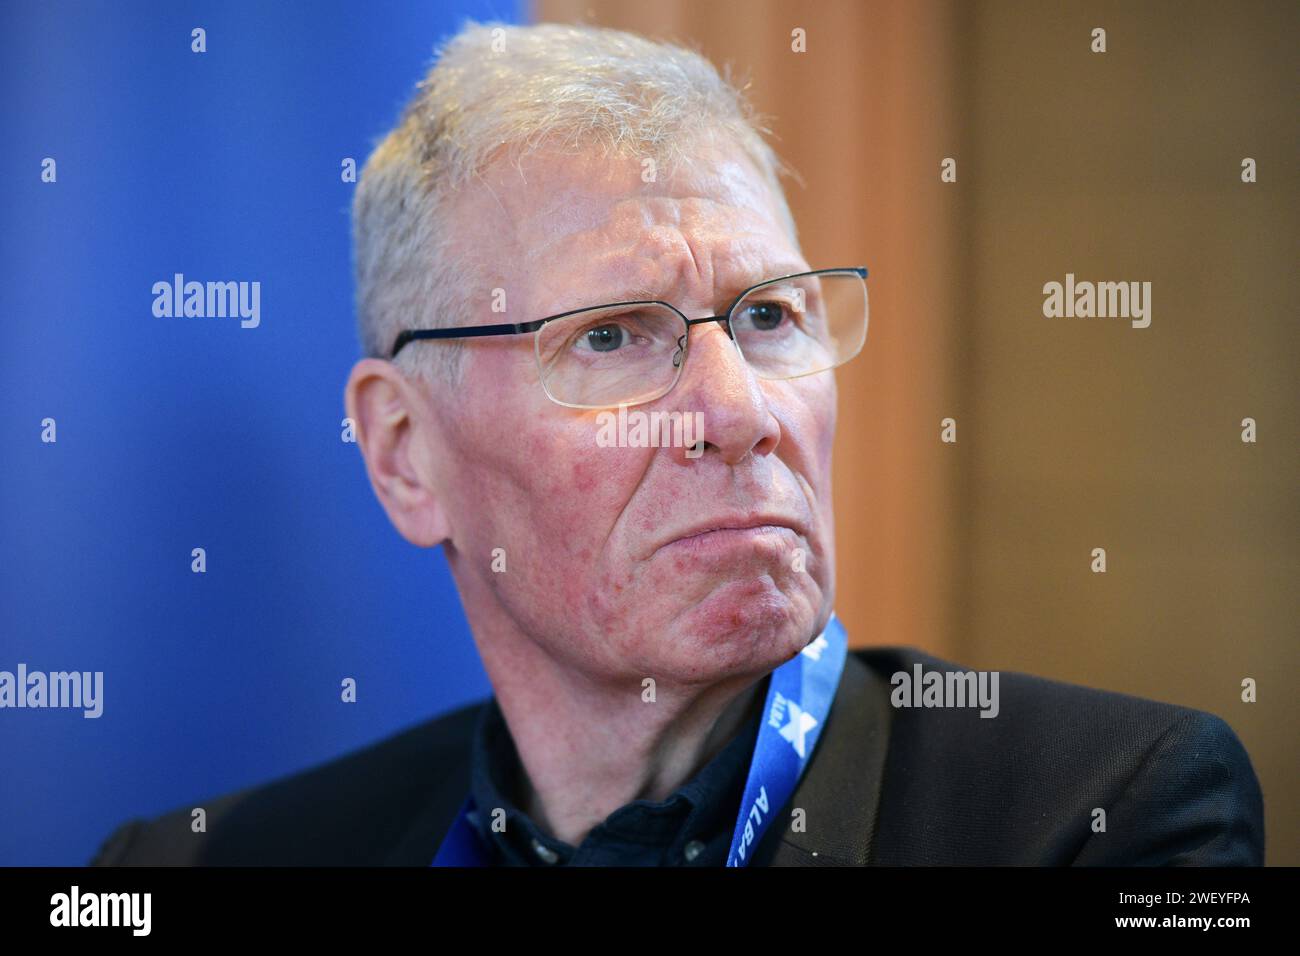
[[692, 828]]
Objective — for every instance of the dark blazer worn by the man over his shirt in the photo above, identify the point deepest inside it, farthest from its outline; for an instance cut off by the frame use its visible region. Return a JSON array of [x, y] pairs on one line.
[[885, 786]]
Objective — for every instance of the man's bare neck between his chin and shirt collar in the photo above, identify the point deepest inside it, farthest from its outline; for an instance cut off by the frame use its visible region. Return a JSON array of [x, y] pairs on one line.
[[588, 747]]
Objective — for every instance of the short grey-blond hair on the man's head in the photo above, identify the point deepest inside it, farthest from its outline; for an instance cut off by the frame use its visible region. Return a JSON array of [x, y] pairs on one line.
[[496, 88]]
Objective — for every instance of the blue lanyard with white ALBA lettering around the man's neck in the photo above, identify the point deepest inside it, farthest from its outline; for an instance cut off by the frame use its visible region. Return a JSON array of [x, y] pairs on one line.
[[799, 699]]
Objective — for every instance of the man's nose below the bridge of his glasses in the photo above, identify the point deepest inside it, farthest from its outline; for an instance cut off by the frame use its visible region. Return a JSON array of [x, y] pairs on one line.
[[722, 391]]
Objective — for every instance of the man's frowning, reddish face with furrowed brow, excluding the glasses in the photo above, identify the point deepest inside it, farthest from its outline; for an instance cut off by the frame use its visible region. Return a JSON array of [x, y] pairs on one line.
[[634, 563]]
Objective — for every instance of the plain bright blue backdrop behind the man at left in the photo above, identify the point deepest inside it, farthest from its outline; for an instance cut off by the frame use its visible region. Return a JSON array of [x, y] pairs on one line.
[[183, 434]]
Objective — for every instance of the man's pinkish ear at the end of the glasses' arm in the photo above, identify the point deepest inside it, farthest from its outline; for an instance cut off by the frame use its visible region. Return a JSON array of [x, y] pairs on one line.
[[395, 430]]
